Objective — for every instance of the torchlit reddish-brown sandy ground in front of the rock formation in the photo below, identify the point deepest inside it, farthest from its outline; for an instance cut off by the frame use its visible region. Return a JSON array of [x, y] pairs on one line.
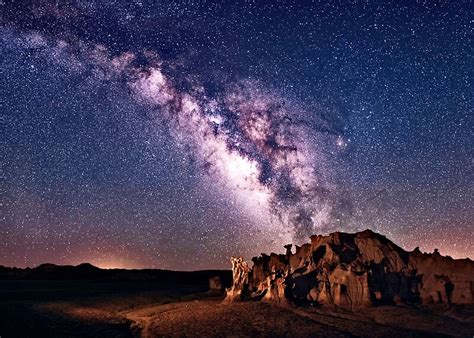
[[212, 318]]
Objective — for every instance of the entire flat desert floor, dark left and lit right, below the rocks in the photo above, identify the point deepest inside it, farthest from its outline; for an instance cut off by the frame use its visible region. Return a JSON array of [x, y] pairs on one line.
[[35, 308]]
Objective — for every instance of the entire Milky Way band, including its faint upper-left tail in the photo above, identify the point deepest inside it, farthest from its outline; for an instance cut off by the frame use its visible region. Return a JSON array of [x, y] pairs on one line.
[[248, 138]]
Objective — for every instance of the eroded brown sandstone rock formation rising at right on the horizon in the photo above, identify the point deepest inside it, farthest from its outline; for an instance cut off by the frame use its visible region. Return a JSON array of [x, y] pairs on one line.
[[353, 270]]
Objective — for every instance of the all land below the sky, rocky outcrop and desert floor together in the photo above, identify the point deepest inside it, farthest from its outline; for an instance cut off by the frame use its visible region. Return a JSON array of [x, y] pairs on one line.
[[338, 285]]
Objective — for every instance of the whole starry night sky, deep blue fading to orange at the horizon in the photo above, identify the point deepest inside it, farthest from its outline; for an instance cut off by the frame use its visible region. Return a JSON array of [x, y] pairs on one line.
[[174, 134]]
